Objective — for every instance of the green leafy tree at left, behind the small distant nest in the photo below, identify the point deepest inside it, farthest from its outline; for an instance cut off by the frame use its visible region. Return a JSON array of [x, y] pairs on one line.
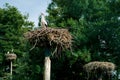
[[12, 26]]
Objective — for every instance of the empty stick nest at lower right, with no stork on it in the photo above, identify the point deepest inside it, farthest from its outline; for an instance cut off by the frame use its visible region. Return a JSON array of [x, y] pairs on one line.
[[97, 66]]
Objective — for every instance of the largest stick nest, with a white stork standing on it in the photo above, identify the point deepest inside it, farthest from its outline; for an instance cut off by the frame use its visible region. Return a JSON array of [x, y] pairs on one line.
[[49, 36]]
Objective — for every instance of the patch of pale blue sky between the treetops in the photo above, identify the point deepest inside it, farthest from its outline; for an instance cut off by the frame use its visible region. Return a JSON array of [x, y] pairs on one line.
[[33, 7]]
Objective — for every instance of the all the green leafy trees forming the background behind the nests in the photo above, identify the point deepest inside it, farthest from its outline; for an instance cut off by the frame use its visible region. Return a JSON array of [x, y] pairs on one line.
[[94, 25]]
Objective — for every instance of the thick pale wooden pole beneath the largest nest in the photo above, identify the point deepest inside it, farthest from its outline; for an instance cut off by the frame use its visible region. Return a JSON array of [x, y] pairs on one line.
[[47, 71]]
